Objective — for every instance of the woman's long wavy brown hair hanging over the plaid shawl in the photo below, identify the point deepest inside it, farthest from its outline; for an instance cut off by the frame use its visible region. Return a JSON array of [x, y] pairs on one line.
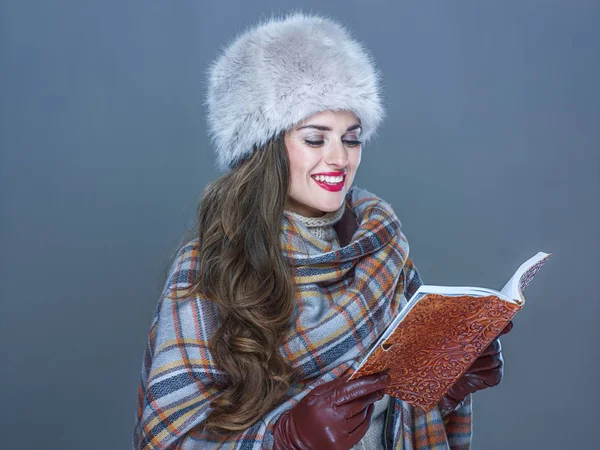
[[243, 271]]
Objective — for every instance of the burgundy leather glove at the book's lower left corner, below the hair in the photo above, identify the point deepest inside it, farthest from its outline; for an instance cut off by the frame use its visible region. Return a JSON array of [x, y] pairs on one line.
[[333, 416]]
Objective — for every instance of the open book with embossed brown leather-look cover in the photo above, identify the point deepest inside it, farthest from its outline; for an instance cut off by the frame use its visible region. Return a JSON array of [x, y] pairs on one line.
[[440, 332]]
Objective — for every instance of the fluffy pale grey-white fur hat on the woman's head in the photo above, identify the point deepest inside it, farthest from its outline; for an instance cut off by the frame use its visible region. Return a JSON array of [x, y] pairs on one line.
[[282, 71]]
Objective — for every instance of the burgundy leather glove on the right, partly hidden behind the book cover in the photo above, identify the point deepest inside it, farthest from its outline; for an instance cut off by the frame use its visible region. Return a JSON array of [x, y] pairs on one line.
[[486, 371]]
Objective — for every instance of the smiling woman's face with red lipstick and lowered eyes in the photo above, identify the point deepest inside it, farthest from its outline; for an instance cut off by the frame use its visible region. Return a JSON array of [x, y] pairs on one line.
[[324, 152]]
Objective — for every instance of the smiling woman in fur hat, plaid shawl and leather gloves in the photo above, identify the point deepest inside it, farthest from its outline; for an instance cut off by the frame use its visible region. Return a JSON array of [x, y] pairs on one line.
[[293, 274]]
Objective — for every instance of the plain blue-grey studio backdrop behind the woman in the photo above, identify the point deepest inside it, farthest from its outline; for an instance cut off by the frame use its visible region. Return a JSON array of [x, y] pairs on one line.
[[490, 152]]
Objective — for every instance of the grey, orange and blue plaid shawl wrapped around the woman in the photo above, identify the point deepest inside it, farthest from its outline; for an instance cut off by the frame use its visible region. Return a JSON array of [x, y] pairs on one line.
[[364, 284]]
